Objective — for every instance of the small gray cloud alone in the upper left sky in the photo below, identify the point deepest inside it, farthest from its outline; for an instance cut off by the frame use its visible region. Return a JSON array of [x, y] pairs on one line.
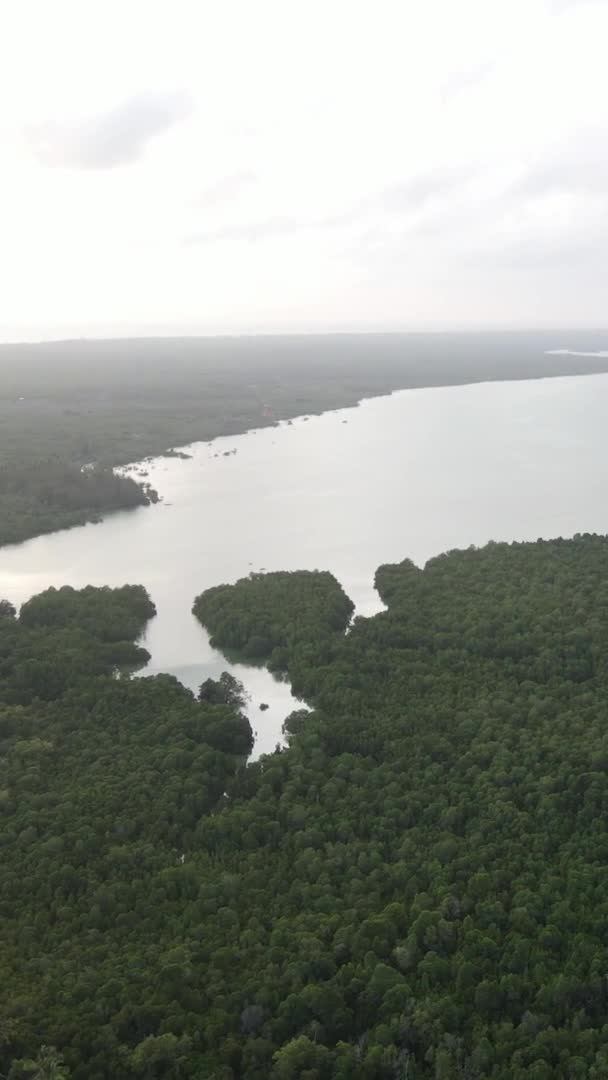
[[113, 139]]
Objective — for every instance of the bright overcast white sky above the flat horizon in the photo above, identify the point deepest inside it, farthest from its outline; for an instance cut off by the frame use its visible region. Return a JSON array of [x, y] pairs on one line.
[[234, 166]]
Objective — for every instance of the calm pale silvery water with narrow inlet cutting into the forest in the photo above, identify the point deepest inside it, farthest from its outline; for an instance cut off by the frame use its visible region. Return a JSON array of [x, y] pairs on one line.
[[413, 475]]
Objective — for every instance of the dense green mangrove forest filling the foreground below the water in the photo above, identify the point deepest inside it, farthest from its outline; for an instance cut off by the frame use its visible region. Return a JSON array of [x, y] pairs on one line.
[[413, 889]]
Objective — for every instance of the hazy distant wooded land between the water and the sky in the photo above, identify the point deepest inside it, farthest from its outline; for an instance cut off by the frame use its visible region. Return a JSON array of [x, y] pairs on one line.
[[66, 404]]
